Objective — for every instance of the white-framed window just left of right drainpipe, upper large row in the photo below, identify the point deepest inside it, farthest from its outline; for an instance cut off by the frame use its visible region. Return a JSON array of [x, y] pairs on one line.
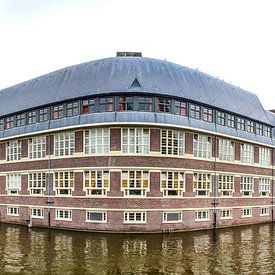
[[202, 146]]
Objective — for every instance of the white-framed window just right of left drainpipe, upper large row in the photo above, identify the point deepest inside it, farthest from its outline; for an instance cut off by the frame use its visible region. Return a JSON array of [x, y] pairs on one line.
[[64, 144]]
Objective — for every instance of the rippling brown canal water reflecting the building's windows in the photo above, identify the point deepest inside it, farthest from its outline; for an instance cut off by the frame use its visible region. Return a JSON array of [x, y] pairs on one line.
[[239, 250]]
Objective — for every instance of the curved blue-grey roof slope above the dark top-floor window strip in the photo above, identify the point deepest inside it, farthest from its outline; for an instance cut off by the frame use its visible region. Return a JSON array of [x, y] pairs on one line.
[[115, 75]]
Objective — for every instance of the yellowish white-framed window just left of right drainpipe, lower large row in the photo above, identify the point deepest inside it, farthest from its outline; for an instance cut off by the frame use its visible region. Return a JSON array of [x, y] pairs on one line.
[[202, 184]]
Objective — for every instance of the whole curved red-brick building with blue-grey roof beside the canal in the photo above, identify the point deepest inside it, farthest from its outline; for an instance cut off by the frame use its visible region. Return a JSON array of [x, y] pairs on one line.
[[133, 144]]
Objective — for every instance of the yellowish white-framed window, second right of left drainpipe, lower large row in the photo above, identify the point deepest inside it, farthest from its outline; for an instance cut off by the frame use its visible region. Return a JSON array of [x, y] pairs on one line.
[[96, 183]]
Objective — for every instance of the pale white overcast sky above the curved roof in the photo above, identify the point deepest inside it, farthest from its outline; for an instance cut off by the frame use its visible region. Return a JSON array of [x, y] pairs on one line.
[[230, 39]]
